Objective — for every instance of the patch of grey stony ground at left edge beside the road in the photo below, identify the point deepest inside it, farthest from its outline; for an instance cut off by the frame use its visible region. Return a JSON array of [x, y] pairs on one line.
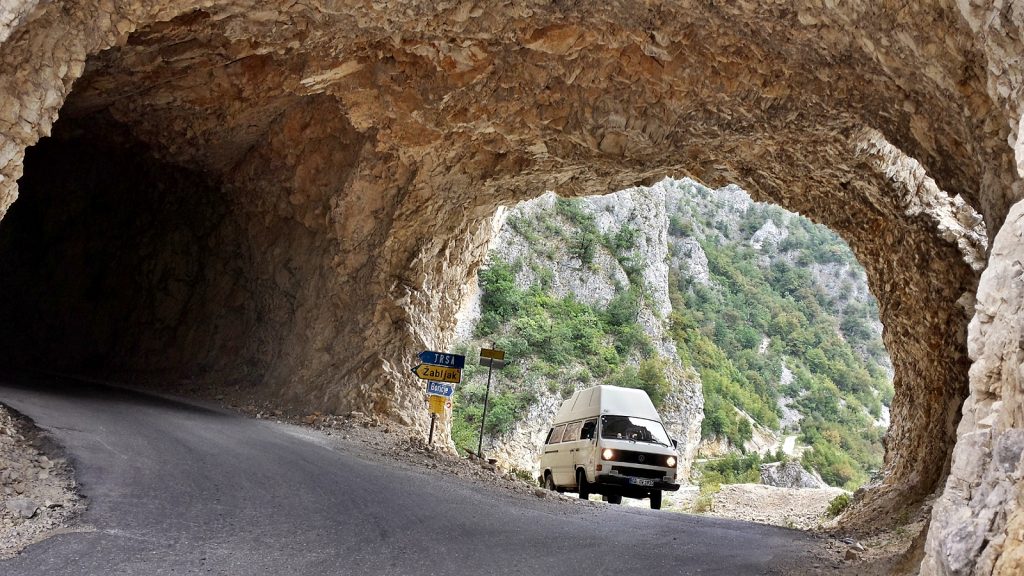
[[37, 486]]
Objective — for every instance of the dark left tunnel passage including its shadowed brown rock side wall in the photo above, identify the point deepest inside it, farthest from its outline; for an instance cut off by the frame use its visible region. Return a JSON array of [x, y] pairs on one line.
[[180, 228]]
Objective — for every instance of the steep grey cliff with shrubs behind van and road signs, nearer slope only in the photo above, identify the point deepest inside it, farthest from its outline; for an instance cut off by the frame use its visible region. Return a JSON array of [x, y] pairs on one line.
[[577, 294]]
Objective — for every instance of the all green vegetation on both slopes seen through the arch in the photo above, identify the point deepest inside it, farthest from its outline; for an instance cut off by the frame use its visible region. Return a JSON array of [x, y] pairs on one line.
[[761, 315]]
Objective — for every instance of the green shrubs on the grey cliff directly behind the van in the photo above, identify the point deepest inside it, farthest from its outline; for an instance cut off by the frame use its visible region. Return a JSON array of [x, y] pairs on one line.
[[565, 343]]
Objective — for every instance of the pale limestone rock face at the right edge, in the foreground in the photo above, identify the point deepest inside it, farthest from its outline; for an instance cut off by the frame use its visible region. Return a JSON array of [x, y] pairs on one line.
[[979, 515]]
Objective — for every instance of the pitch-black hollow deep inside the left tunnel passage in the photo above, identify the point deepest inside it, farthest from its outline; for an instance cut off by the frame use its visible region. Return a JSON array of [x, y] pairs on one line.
[[106, 257]]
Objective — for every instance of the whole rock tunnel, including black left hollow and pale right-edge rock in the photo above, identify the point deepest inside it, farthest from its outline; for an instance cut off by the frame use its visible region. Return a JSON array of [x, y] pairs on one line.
[[294, 199]]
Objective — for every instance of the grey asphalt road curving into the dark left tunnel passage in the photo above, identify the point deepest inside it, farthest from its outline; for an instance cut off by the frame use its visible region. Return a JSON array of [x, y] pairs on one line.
[[177, 488]]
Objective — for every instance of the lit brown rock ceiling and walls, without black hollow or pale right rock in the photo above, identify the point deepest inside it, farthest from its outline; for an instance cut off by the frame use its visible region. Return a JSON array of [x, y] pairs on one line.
[[391, 132]]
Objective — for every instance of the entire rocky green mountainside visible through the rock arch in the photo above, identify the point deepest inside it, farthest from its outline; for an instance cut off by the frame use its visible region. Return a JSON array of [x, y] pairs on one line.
[[750, 326]]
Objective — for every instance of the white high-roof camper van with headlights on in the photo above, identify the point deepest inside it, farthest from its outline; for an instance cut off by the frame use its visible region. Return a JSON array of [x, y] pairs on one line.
[[610, 441]]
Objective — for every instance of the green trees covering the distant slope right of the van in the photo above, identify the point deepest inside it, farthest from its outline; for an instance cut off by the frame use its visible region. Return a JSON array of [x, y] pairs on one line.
[[756, 315]]
